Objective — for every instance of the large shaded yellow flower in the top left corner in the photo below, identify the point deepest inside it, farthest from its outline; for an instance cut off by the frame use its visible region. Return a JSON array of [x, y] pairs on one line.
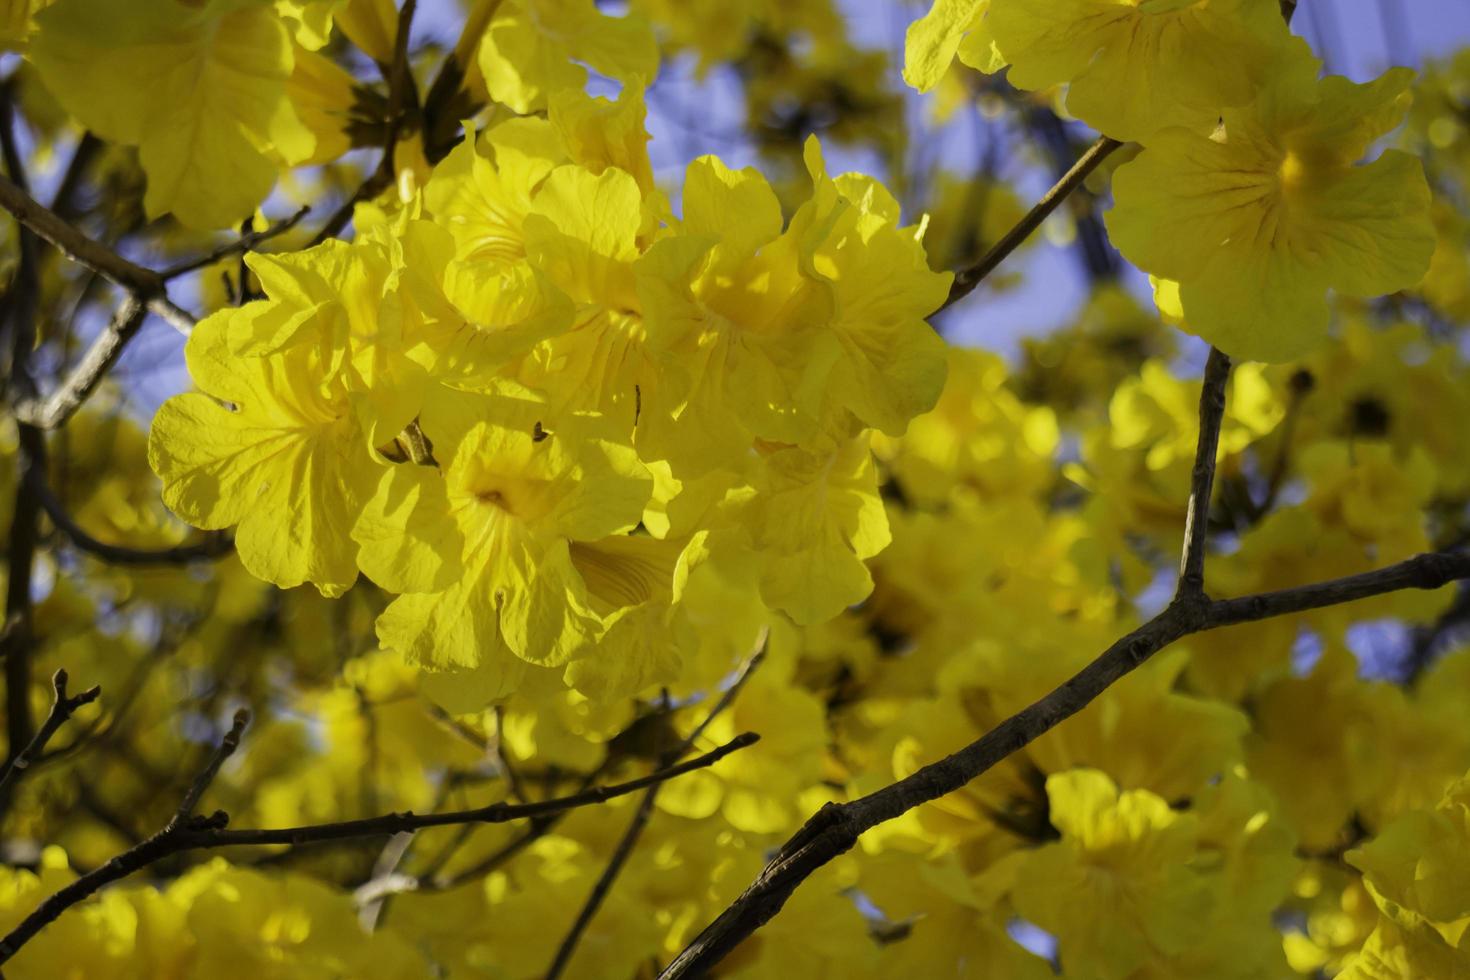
[[204, 99]]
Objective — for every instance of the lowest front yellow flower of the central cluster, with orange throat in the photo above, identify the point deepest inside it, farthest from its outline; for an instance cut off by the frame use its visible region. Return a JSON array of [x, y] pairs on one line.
[[511, 506]]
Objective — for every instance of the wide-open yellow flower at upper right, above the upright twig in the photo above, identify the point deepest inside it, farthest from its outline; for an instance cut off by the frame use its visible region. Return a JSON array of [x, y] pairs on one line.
[[1261, 220]]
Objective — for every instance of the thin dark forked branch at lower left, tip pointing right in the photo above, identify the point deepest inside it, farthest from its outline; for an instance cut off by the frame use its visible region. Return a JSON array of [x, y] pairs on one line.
[[199, 834]]
